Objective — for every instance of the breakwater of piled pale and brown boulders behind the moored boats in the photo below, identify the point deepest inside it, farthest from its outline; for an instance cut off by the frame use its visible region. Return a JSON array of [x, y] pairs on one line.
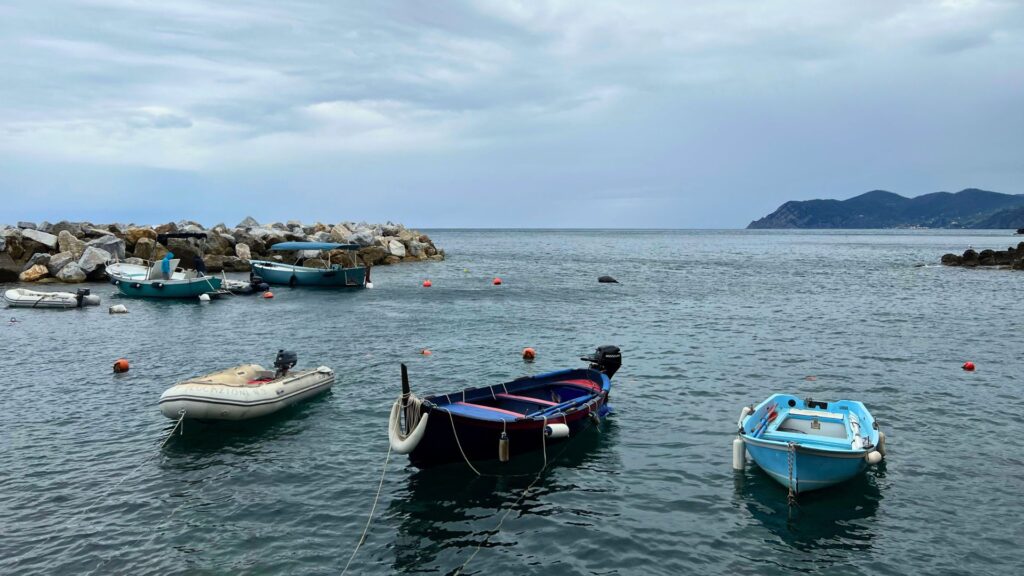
[[78, 252]]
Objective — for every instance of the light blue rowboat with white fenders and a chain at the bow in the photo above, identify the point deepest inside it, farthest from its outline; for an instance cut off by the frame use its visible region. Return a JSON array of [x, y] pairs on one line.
[[807, 445]]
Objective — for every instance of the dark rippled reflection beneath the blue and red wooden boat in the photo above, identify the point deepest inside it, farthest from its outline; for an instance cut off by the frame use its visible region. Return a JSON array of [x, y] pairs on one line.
[[450, 509]]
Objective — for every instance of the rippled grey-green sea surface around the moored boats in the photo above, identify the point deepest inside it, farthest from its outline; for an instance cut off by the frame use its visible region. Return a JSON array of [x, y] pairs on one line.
[[708, 322]]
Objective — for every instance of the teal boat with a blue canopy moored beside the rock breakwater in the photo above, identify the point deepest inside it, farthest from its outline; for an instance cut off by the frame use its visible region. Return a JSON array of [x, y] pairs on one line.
[[295, 275]]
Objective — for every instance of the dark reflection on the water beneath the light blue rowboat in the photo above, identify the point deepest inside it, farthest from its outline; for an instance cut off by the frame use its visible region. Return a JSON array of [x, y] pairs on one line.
[[823, 520]]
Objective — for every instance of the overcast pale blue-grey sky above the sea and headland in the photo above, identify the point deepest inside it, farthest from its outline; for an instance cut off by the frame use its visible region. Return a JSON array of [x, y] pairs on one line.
[[499, 113]]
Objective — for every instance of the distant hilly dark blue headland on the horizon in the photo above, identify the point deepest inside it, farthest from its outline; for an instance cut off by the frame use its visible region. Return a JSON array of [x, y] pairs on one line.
[[971, 209]]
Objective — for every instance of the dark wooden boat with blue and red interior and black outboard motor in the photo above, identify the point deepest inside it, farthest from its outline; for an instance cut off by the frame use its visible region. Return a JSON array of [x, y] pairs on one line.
[[502, 421]]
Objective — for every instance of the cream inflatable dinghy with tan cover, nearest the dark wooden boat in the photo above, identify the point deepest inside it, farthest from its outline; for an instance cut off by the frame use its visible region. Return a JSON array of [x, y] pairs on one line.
[[231, 396]]
